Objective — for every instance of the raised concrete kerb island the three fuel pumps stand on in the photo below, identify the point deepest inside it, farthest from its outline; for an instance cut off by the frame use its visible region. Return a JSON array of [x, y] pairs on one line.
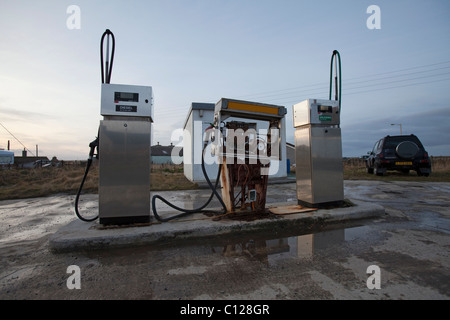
[[82, 236]]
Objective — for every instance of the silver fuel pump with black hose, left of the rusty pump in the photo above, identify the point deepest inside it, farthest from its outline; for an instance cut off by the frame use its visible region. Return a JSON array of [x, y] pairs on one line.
[[124, 140]]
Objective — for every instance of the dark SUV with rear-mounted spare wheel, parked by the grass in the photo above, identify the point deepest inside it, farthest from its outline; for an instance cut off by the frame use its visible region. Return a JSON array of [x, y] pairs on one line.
[[402, 153]]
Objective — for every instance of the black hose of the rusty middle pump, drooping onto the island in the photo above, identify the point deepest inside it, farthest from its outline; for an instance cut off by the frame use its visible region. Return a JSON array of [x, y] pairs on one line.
[[186, 212]]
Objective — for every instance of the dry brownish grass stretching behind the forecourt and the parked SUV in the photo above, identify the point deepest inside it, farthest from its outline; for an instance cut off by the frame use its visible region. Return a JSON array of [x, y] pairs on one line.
[[39, 182]]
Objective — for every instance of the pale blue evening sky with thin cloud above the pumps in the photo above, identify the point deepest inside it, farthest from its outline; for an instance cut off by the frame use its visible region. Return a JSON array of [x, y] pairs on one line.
[[275, 52]]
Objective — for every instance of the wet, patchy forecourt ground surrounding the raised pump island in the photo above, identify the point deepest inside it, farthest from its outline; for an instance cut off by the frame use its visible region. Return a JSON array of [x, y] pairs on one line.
[[410, 245]]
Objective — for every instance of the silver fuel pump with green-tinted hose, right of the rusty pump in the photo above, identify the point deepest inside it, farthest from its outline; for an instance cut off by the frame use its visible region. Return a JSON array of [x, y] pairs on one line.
[[318, 147]]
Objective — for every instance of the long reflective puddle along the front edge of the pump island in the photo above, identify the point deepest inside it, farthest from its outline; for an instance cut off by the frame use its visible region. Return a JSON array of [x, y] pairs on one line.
[[260, 248]]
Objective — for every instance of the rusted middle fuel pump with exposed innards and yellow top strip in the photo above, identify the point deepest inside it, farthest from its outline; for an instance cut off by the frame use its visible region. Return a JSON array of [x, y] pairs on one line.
[[245, 151]]
